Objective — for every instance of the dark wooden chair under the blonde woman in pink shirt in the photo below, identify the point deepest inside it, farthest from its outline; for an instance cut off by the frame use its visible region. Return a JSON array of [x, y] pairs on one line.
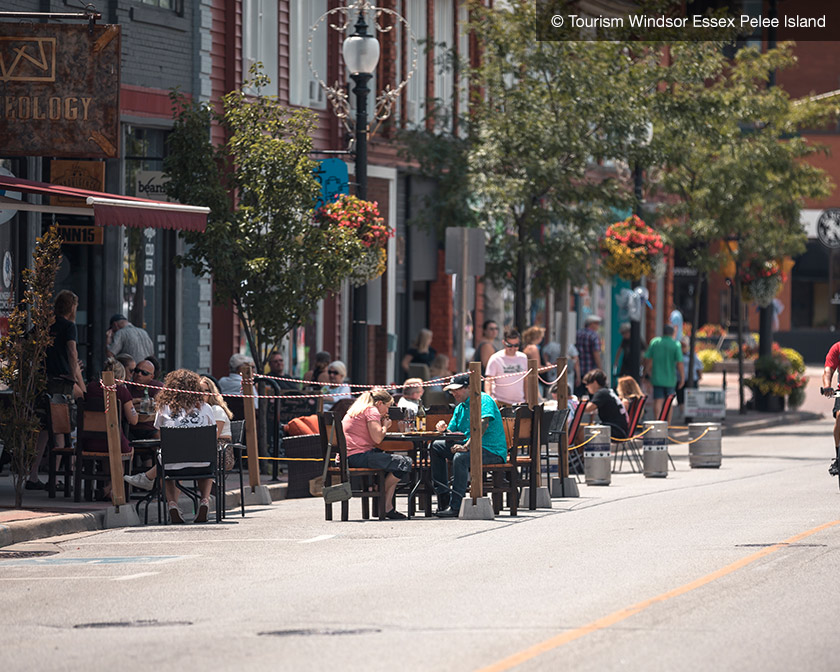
[[371, 481]]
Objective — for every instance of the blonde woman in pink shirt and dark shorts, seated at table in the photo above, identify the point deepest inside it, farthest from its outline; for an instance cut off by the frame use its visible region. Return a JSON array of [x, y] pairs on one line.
[[365, 425]]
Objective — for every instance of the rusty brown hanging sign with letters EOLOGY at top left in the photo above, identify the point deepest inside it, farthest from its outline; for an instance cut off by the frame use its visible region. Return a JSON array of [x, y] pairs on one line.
[[59, 90]]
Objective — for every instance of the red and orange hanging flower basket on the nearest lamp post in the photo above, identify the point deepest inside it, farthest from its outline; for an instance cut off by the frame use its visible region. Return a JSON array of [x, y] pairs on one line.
[[362, 218]]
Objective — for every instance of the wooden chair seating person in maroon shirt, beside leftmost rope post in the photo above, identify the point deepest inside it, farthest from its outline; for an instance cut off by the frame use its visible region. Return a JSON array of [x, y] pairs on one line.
[[93, 465]]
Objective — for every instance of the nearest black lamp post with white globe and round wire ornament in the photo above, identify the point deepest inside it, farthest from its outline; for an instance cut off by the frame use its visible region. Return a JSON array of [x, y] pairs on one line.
[[360, 51]]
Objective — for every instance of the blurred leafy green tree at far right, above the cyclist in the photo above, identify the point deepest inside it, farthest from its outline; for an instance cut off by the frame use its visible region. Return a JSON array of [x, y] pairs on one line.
[[732, 157]]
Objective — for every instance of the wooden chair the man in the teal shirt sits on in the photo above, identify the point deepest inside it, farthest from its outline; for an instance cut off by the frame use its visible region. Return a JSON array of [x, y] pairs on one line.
[[522, 434]]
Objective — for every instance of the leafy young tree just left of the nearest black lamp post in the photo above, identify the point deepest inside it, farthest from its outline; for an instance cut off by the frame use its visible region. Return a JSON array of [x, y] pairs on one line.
[[261, 247]]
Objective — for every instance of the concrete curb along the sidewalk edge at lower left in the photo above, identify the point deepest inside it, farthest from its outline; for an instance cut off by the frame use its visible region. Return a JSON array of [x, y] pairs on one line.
[[73, 523]]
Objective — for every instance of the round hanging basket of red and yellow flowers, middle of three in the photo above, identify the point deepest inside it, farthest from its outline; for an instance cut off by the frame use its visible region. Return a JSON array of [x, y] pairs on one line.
[[631, 249]]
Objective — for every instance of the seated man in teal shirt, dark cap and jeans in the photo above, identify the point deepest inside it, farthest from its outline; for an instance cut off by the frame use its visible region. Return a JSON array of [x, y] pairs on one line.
[[493, 444]]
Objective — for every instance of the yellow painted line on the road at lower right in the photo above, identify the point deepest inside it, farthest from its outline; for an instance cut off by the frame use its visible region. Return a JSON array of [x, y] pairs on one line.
[[622, 614]]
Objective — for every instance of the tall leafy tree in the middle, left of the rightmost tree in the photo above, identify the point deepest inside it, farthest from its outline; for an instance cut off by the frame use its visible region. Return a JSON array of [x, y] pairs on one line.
[[550, 113]]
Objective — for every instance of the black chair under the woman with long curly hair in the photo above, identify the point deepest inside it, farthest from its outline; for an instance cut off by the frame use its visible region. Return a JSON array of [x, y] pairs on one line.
[[190, 444]]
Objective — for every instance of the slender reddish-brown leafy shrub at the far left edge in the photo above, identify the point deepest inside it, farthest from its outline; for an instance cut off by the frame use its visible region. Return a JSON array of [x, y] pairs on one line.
[[22, 354]]
